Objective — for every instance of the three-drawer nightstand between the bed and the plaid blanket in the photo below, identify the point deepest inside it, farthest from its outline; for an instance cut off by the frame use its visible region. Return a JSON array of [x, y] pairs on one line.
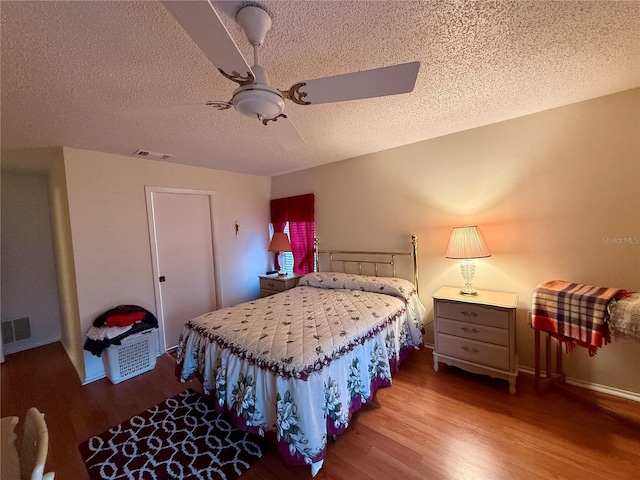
[[476, 333]]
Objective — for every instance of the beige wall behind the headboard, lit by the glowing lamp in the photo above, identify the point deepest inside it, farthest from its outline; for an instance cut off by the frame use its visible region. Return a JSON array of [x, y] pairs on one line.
[[549, 191]]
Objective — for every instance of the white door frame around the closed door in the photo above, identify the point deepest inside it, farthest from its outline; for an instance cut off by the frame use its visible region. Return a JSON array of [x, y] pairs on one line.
[[149, 191]]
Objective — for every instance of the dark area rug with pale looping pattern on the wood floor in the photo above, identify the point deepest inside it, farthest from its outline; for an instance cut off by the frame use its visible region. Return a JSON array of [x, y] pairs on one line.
[[181, 438]]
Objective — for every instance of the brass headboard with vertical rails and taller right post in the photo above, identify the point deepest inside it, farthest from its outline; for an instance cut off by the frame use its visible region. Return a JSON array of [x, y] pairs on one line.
[[360, 259]]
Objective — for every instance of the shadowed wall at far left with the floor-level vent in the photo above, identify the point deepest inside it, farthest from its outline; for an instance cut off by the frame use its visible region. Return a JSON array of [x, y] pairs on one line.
[[28, 270]]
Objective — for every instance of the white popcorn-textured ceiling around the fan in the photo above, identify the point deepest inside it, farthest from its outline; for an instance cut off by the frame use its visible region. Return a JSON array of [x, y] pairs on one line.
[[103, 75]]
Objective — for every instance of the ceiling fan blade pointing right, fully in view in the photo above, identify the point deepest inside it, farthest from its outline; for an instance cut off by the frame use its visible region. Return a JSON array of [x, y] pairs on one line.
[[378, 82]]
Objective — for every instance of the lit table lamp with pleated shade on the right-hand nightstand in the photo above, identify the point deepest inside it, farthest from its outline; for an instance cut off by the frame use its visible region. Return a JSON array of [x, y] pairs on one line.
[[467, 243]]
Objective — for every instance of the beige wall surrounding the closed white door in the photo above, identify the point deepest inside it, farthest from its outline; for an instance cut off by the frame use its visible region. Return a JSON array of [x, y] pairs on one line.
[[110, 237]]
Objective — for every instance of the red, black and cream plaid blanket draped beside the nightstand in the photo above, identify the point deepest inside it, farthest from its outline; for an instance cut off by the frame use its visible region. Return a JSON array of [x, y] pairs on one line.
[[573, 313]]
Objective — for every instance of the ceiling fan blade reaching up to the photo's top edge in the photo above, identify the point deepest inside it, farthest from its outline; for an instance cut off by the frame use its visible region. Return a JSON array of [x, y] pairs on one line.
[[200, 20]]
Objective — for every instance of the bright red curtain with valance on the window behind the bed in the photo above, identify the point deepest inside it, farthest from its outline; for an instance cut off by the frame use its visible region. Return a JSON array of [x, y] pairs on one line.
[[299, 211]]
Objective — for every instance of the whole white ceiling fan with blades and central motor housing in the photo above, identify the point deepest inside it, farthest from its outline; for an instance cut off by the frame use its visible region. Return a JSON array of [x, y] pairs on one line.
[[254, 96]]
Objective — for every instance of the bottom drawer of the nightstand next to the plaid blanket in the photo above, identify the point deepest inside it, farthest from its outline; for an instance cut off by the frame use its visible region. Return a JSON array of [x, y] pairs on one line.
[[496, 356]]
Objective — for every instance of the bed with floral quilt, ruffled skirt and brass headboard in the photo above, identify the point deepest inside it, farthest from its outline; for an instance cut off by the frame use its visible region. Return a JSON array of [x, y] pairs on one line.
[[301, 362]]
